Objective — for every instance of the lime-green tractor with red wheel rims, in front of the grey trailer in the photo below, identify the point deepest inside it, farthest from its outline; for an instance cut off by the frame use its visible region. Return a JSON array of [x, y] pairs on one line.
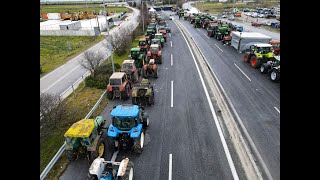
[[259, 54]]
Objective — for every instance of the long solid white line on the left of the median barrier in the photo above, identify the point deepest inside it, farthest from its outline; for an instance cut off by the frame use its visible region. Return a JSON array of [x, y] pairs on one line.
[[223, 141]]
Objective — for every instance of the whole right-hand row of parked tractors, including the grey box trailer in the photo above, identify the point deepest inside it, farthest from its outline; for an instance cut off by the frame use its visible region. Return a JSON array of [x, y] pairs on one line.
[[259, 50]]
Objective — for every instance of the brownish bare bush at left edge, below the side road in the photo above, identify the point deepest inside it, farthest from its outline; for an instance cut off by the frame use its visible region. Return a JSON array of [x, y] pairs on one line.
[[52, 110]]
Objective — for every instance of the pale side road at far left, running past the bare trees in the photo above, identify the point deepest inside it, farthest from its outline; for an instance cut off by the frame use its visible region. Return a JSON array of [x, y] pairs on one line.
[[59, 80]]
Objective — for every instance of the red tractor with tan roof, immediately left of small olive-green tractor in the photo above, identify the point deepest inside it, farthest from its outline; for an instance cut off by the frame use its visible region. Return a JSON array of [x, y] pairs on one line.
[[119, 86]]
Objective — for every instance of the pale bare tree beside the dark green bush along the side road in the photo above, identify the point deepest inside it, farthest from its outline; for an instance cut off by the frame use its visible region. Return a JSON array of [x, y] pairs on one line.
[[91, 61]]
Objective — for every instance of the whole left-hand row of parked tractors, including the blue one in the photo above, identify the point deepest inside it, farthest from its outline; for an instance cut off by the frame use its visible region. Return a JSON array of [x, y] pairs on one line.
[[93, 138]]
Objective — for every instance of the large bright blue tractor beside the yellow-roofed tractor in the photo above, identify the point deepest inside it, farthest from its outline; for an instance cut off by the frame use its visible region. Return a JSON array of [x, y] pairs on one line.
[[129, 123]]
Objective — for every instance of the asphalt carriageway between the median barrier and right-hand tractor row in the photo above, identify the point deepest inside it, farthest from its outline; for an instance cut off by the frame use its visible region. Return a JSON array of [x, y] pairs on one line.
[[255, 98]]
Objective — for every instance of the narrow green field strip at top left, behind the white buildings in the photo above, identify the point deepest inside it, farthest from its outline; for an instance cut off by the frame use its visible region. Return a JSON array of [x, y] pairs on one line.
[[81, 7]]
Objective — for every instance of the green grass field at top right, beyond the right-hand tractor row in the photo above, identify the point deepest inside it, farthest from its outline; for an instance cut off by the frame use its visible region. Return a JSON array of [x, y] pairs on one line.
[[218, 8]]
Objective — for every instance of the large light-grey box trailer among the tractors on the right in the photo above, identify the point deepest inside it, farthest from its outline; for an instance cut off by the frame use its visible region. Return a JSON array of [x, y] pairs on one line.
[[240, 39]]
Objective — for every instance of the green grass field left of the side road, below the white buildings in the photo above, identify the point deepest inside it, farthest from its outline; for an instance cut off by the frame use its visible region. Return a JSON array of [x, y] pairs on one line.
[[57, 50]]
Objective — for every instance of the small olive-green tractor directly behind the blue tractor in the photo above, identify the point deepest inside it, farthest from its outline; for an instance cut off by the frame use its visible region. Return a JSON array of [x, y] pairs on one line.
[[143, 94]]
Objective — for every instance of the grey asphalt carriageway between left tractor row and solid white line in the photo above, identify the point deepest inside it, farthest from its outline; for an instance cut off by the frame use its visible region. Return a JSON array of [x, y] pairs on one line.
[[181, 124]]
